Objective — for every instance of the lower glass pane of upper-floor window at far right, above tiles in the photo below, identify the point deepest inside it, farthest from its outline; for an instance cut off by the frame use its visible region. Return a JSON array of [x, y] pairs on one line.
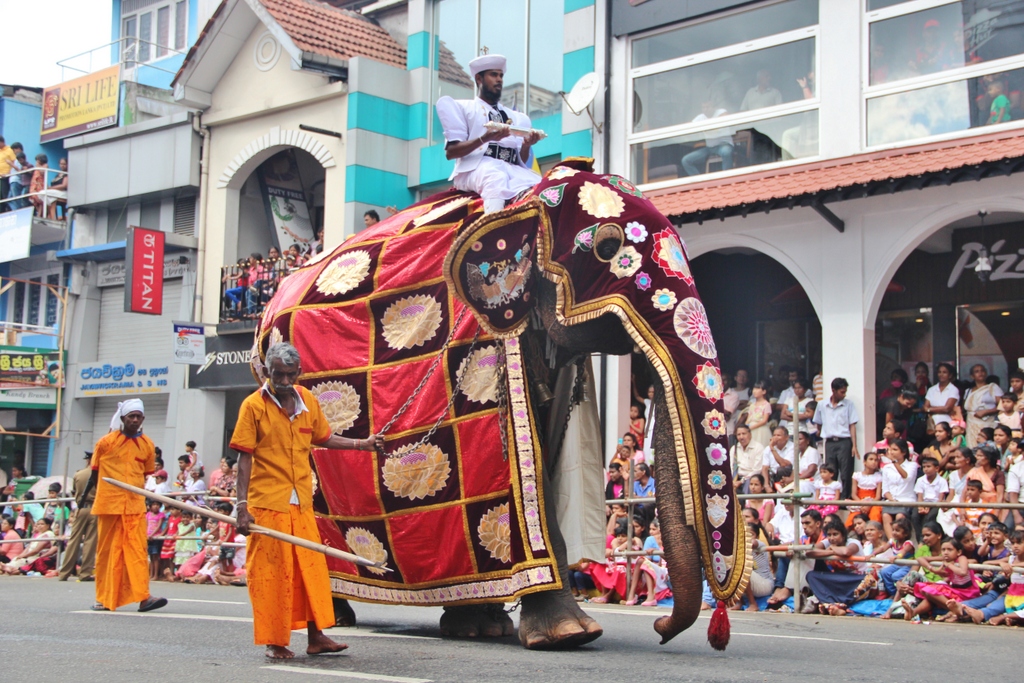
[[946, 109]]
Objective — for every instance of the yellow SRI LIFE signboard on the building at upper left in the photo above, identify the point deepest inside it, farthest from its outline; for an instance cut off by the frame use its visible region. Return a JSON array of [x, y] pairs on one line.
[[82, 105]]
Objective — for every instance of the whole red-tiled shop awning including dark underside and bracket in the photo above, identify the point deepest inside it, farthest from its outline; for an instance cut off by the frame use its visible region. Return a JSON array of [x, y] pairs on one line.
[[819, 184]]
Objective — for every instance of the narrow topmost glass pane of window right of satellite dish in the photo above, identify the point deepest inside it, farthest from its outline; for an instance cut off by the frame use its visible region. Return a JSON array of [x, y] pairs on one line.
[[727, 31]]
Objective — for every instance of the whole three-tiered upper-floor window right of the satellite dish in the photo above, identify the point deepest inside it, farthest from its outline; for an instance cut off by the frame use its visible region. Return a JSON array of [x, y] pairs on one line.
[[731, 93]]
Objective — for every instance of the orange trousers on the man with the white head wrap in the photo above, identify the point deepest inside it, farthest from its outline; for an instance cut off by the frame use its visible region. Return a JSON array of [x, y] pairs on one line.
[[122, 564]]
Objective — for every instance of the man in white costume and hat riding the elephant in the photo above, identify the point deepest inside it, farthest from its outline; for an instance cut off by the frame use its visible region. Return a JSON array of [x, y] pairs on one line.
[[491, 161]]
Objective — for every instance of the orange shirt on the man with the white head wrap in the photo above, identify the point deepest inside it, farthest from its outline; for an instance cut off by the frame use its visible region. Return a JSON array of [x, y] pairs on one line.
[[127, 460]]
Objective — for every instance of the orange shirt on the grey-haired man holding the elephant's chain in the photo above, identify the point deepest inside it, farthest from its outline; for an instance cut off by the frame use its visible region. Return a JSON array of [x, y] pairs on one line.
[[280, 448]]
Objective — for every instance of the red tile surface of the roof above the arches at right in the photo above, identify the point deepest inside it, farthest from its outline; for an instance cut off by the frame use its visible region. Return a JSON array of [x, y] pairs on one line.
[[838, 174]]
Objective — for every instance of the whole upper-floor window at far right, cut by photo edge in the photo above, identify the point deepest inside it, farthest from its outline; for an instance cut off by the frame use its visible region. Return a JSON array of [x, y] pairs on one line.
[[943, 70]]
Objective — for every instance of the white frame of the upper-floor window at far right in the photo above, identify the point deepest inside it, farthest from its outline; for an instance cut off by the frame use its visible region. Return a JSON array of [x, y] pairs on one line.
[[870, 93]]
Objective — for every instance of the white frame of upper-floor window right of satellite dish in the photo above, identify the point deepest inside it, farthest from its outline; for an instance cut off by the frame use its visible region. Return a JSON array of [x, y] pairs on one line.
[[730, 120]]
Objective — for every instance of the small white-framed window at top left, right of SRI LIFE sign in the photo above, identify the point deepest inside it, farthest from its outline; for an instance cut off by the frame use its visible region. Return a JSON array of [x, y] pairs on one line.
[[154, 30]]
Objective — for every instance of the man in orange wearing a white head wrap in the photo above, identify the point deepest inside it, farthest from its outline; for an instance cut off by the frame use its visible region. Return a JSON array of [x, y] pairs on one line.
[[122, 567]]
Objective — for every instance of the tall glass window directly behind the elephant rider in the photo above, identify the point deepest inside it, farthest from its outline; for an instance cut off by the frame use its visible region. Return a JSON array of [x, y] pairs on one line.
[[463, 29]]
